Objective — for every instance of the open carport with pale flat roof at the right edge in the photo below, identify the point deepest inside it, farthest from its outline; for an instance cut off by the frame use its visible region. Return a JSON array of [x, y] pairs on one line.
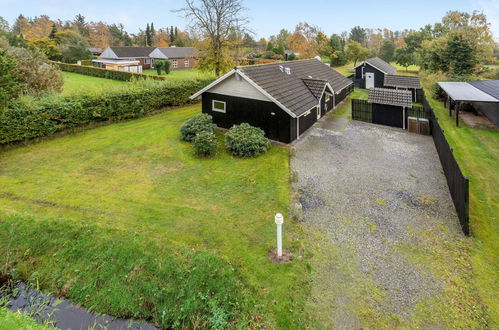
[[474, 92]]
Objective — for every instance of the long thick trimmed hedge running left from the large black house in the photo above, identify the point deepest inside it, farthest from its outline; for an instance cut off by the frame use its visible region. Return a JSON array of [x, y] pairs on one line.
[[29, 118]]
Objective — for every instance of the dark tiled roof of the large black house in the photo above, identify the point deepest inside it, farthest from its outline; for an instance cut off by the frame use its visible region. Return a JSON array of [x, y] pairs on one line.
[[290, 89]]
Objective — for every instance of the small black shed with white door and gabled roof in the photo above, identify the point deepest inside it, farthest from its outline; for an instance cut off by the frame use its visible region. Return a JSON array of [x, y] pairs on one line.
[[371, 73]]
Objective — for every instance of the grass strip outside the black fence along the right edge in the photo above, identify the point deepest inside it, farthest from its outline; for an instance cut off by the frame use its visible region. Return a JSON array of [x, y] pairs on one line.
[[477, 152]]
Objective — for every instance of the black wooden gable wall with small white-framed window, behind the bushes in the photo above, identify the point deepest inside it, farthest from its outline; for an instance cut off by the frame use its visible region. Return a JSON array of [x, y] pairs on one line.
[[276, 123]]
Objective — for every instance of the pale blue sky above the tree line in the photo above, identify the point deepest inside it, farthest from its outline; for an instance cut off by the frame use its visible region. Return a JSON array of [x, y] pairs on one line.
[[267, 16]]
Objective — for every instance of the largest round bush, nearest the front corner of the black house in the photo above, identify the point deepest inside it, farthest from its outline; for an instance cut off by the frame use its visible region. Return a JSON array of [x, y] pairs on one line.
[[246, 141]]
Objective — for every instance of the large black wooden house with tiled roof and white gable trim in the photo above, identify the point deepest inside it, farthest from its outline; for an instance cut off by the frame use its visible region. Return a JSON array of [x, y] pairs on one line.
[[283, 99]]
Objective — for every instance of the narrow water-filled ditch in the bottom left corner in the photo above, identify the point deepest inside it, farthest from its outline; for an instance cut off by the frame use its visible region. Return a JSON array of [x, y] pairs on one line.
[[57, 312]]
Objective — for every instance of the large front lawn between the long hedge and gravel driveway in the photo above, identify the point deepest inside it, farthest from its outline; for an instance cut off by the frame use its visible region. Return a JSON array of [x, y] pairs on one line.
[[139, 179]]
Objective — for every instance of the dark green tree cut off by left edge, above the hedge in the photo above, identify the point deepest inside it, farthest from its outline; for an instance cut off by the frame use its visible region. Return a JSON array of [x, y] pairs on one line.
[[9, 86]]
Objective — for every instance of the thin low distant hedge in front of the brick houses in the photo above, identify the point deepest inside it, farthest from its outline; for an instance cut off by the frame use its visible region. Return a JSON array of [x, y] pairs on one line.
[[104, 73]]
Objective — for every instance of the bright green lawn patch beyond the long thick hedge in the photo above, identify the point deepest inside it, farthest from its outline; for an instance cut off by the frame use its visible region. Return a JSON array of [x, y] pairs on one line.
[[76, 83]]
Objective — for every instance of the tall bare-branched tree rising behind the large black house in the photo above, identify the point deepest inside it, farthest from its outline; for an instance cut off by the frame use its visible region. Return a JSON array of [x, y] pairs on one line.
[[215, 20]]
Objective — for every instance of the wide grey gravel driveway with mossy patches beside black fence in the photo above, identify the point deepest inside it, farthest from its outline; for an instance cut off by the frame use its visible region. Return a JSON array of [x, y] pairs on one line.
[[381, 225]]
